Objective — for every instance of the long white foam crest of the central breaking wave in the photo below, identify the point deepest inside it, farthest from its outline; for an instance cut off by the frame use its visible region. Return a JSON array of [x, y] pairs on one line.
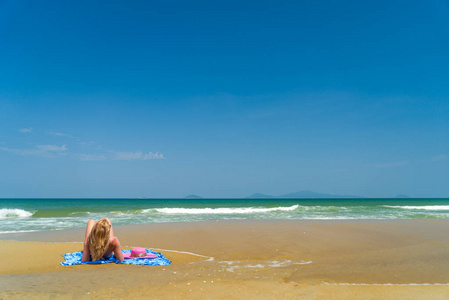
[[222, 210]]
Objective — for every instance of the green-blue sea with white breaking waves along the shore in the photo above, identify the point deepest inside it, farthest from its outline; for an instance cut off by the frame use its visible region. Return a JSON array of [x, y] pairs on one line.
[[28, 215]]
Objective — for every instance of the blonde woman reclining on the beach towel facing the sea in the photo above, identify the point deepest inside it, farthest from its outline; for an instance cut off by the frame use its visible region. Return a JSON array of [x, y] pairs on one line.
[[100, 241]]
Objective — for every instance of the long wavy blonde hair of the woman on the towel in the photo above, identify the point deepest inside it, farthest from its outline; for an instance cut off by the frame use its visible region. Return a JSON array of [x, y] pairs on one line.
[[99, 238]]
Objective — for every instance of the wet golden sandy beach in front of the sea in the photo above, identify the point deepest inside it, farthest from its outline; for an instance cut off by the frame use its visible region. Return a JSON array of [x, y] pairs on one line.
[[247, 259]]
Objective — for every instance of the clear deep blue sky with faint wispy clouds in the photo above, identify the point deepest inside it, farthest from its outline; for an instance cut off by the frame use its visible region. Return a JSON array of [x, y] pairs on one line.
[[150, 99]]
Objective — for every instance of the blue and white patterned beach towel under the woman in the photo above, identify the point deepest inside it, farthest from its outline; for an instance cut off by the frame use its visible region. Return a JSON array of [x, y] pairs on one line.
[[74, 258]]
